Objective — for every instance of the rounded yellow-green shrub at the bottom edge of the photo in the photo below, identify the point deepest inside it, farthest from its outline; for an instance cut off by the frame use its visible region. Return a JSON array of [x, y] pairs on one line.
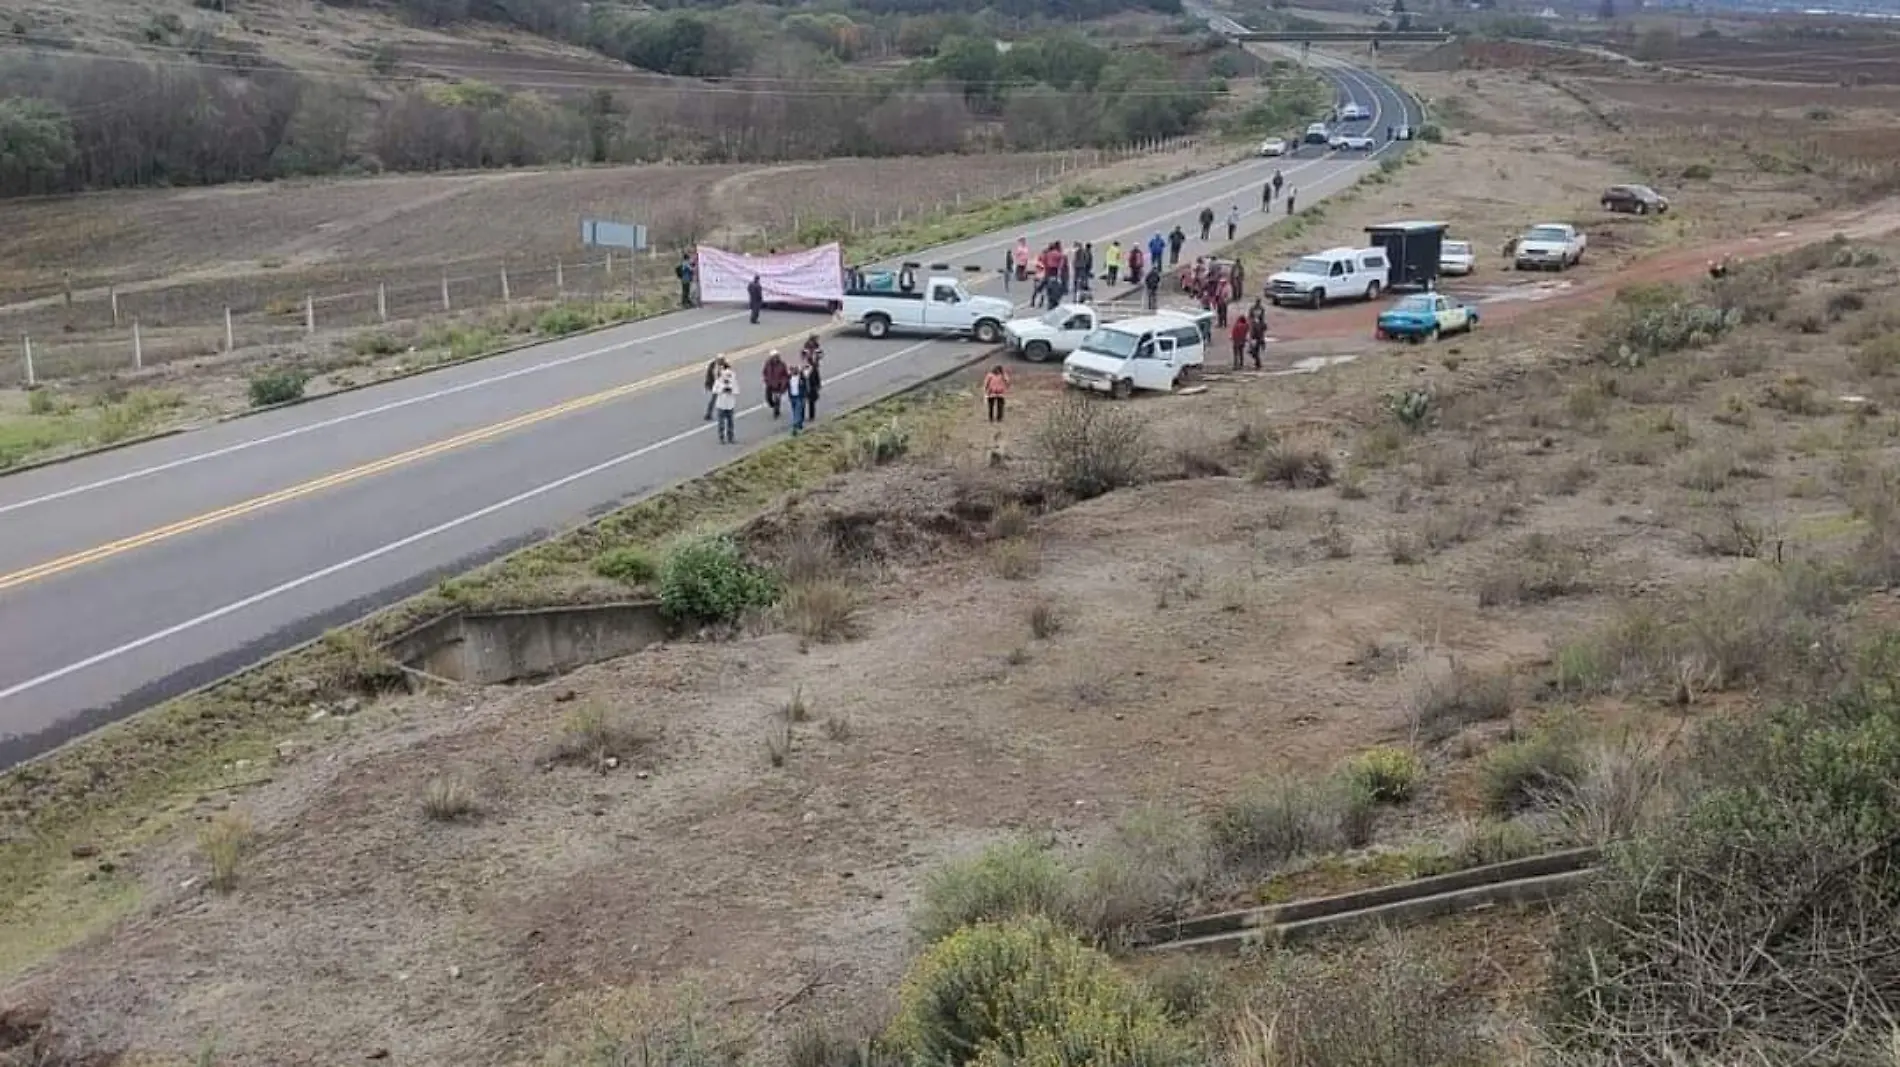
[[1029, 994]]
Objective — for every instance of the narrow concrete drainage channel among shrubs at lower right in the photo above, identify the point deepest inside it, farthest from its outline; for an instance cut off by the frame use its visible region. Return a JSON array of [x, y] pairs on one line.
[[1536, 880]]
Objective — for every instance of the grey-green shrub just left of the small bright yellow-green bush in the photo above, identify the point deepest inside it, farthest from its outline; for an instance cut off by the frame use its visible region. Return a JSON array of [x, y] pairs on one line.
[[1287, 819]]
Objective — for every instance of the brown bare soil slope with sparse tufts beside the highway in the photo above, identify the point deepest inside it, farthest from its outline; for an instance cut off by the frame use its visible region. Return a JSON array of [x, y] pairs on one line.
[[1213, 629]]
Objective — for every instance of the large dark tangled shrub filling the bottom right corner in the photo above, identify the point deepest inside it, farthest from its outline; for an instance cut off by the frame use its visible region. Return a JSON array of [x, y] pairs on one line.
[[1766, 914]]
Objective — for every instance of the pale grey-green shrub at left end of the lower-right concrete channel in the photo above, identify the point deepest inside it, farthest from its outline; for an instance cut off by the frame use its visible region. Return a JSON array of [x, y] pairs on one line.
[[1150, 867]]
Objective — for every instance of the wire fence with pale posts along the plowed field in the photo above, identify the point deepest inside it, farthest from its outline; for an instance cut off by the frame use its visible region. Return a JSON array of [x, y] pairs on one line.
[[145, 328]]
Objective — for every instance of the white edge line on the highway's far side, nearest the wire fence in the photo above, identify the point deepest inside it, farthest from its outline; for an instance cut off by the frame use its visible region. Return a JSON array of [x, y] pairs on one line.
[[1057, 223]]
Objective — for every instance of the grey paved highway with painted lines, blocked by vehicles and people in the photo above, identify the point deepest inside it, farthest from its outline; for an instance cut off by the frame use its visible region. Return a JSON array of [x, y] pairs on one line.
[[132, 576]]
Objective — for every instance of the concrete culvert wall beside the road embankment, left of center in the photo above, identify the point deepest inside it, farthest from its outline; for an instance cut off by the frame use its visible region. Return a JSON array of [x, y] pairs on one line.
[[493, 648]]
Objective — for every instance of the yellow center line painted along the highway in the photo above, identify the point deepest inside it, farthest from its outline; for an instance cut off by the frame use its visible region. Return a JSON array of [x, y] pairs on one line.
[[375, 468]]
